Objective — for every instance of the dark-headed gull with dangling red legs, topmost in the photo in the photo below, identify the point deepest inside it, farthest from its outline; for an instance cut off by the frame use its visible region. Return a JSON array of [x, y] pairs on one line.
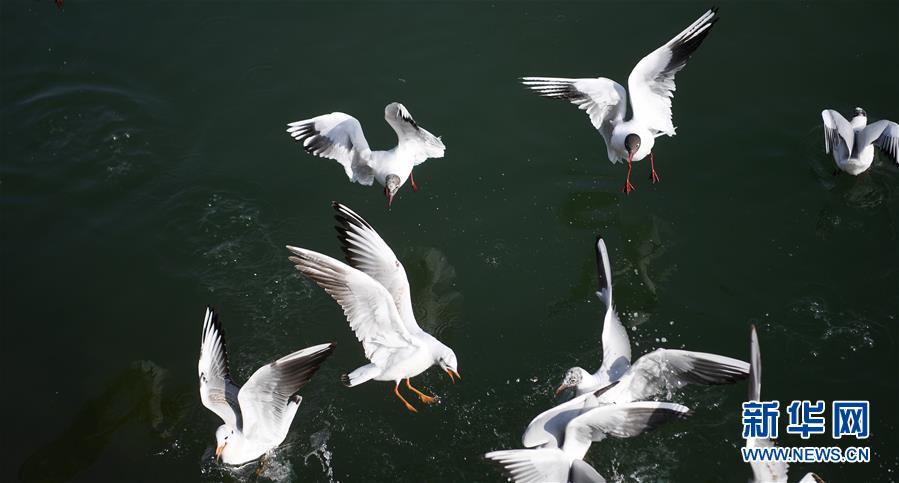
[[651, 86]]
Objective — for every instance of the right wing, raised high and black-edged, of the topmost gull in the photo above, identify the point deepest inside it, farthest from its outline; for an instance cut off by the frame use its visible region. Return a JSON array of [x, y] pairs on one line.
[[651, 83]]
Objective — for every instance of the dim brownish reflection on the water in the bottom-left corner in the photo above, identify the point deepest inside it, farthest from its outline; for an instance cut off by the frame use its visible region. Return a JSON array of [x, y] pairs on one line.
[[136, 397]]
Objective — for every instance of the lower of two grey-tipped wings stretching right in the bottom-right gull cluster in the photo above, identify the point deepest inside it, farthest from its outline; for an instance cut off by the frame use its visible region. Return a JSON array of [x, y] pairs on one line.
[[617, 420]]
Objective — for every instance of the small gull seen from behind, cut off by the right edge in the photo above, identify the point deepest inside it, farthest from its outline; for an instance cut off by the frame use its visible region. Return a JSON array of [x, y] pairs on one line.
[[852, 143]]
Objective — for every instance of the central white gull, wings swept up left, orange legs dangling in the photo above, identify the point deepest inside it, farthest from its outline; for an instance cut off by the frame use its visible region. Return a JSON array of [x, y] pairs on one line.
[[374, 294]]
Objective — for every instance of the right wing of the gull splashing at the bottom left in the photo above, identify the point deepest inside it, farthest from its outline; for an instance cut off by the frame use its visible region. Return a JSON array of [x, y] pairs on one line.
[[265, 396]]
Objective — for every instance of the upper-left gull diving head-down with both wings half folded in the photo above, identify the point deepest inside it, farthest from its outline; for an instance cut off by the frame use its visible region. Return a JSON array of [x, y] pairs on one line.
[[339, 136]]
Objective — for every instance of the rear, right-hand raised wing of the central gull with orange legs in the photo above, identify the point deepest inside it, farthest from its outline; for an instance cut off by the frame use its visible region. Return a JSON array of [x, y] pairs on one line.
[[366, 251]]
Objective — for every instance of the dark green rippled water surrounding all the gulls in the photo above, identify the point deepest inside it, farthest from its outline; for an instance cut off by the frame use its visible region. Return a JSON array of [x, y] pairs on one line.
[[145, 173]]
